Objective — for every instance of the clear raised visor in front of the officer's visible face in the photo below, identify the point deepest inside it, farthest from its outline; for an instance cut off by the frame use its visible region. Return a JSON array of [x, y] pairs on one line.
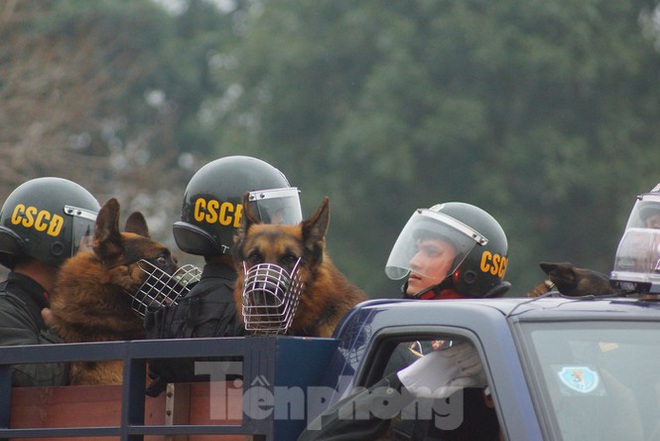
[[431, 245]]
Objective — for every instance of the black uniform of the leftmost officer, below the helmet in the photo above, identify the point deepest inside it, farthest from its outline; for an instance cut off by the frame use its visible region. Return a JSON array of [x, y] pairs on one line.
[[21, 302]]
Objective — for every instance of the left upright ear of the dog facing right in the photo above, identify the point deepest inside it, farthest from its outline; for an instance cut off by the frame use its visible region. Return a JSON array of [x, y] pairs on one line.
[[107, 243]]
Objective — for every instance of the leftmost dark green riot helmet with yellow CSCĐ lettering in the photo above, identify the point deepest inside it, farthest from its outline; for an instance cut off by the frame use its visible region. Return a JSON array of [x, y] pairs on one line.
[[46, 219]]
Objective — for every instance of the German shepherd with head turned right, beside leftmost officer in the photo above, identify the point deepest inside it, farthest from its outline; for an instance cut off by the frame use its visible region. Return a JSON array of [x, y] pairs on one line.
[[91, 300]]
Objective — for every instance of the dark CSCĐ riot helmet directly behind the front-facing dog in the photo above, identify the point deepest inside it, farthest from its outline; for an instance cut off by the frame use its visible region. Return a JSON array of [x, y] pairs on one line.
[[213, 203]]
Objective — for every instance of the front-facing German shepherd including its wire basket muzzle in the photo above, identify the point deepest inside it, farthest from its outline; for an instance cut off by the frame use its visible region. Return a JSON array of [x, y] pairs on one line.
[[313, 291]]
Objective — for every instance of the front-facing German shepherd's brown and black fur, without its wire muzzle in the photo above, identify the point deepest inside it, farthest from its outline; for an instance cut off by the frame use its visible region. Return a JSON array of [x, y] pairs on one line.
[[326, 295]]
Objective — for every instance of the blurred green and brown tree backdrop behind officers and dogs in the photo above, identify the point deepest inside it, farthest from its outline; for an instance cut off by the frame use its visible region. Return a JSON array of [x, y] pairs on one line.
[[541, 112]]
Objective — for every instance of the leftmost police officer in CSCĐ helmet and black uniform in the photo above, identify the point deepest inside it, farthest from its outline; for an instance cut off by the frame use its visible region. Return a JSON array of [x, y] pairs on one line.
[[42, 223]]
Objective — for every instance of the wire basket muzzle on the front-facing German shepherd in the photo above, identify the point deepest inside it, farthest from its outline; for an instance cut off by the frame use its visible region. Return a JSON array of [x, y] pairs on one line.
[[270, 298]]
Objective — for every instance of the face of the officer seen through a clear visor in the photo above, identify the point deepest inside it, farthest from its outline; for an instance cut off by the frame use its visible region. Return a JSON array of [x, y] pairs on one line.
[[430, 265]]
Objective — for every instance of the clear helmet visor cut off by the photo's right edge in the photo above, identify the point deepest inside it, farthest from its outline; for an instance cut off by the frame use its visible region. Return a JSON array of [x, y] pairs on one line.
[[637, 261]]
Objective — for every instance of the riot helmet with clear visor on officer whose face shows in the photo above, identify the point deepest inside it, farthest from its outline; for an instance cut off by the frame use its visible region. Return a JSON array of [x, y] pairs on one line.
[[468, 245]]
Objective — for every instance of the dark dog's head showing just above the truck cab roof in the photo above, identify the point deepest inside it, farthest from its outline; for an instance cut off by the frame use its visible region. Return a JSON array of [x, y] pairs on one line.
[[571, 281]]
